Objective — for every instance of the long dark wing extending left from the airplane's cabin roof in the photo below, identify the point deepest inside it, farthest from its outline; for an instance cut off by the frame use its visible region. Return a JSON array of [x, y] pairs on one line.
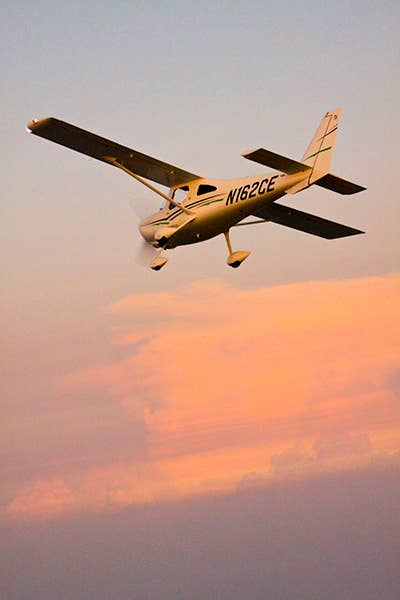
[[98, 147]]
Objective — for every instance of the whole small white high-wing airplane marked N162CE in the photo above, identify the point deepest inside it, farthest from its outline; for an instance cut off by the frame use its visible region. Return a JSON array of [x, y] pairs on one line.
[[196, 209]]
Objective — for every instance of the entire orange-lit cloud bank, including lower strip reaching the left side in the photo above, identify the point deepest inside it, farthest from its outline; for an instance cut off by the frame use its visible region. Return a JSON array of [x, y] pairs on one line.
[[232, 382]]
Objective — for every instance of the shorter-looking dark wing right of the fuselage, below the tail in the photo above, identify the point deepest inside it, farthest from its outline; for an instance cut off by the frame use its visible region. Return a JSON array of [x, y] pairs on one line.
[[296, 219]]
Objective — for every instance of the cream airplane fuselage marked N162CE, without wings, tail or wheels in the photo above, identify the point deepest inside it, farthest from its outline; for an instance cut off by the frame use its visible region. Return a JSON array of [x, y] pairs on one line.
[[212, 207]]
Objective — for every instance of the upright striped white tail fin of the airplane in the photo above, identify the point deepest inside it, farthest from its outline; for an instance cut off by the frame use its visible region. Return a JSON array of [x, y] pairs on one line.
[[318, 155]]
